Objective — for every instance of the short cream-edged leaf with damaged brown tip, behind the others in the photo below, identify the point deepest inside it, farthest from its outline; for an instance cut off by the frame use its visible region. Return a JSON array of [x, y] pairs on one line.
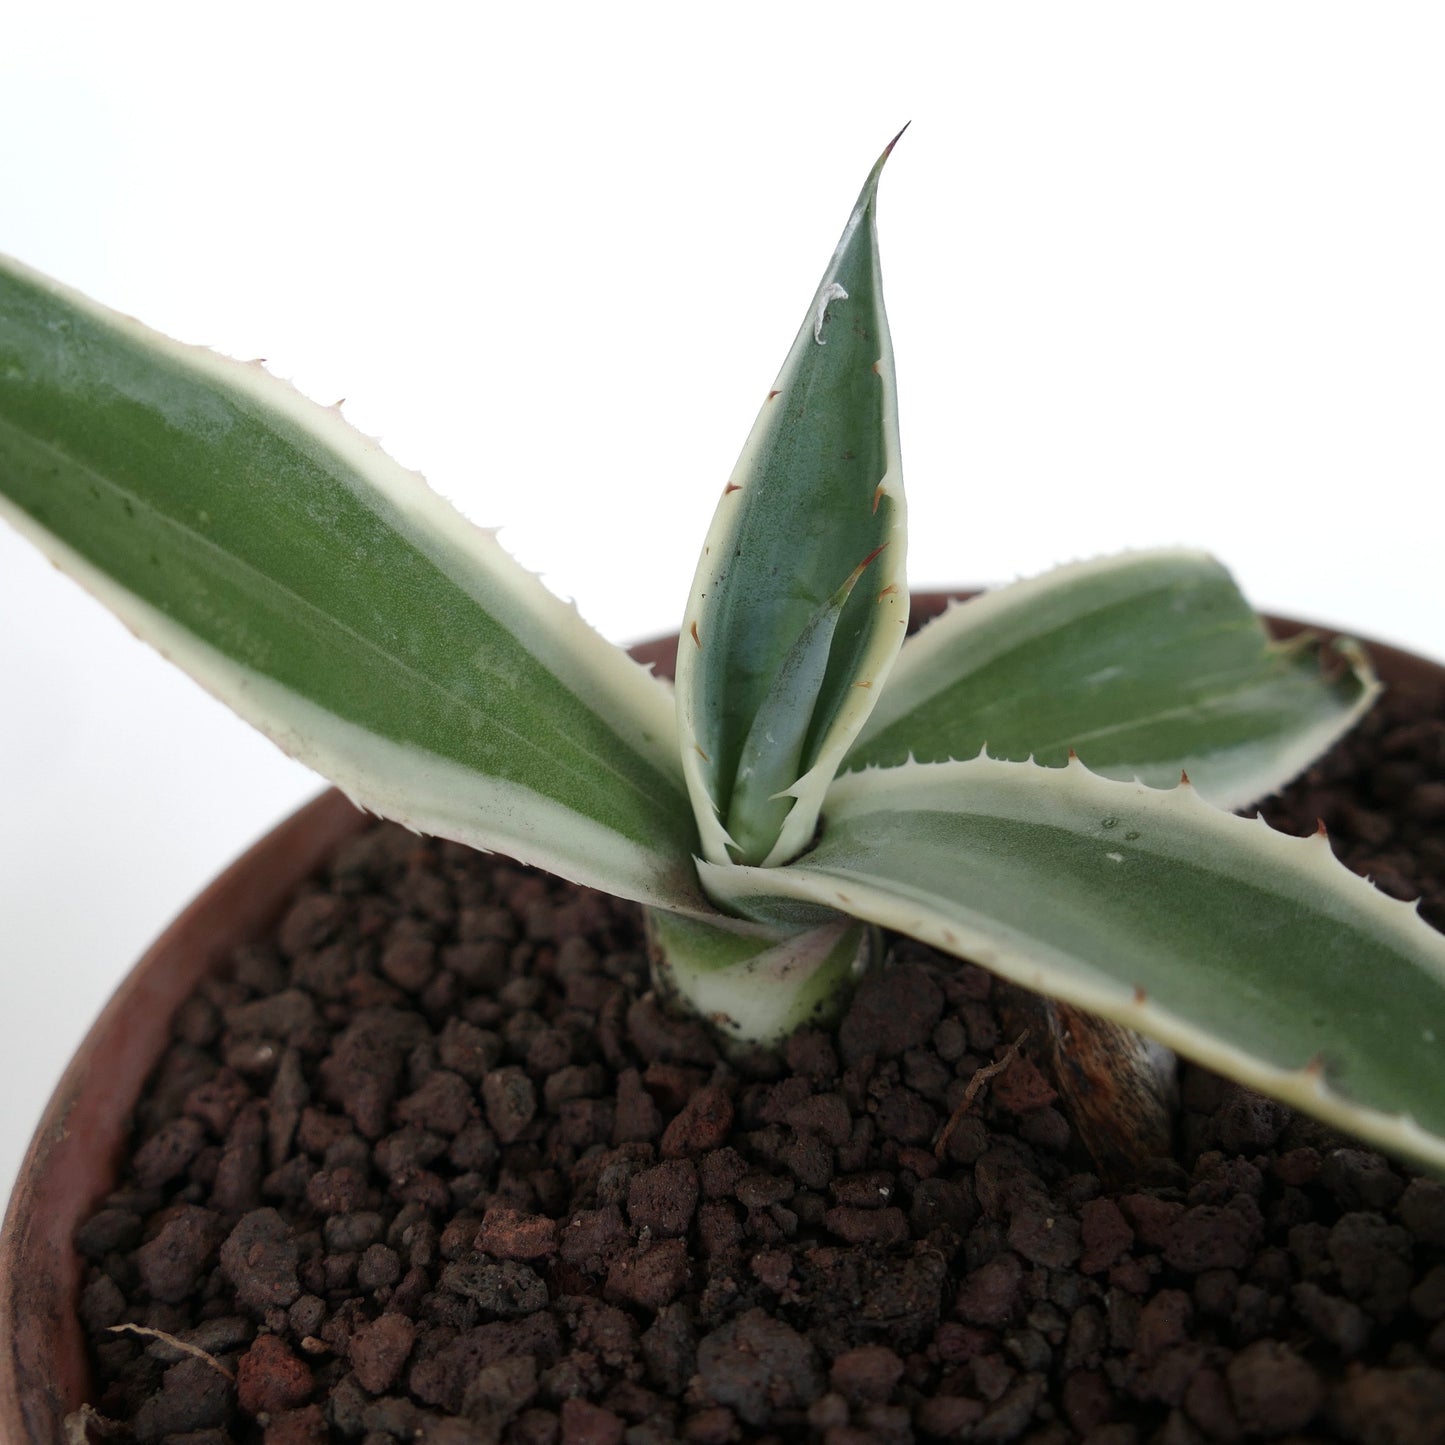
[[1144, 664]]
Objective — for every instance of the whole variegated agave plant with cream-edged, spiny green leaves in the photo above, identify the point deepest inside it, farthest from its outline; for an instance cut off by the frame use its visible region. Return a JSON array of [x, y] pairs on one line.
[[1006, 785]]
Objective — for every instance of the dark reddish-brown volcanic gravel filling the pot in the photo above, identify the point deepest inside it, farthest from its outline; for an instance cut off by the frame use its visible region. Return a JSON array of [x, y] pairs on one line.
[[433, 1165]]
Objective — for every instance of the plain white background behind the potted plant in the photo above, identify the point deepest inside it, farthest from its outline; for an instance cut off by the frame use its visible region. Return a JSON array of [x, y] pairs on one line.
[[1157, 274]]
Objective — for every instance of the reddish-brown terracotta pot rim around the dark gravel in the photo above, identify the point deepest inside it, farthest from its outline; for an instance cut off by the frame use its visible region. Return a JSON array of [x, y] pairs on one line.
[[76, 1155]]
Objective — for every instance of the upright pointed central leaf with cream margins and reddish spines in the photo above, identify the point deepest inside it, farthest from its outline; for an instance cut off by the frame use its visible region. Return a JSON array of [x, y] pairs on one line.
[[817, 493]]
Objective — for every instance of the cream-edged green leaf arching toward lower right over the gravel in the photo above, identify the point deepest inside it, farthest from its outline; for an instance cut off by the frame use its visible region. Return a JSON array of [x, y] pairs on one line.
[[1251, 952]]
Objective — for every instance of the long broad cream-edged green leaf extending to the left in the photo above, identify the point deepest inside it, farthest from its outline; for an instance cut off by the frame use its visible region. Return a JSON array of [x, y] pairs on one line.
[[333, 600]]
